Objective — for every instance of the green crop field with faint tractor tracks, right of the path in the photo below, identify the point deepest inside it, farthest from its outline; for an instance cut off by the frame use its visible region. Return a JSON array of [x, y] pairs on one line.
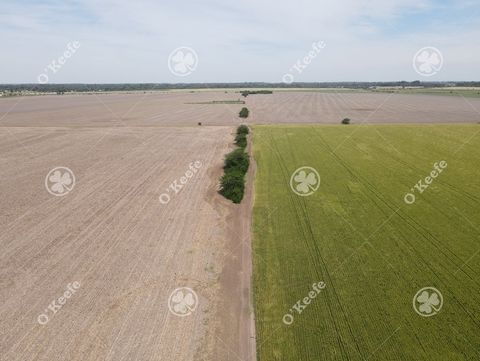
[[374, 240]]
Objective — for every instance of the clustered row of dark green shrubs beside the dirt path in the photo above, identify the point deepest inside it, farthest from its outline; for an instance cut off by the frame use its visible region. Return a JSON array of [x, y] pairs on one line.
[[232, 183]]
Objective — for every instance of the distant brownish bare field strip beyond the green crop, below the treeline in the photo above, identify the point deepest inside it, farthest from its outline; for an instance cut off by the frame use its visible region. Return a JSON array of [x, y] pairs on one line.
[[221, 108]]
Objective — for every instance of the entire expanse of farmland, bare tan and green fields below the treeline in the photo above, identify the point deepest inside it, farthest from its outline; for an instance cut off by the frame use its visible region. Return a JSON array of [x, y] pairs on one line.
[[144, 218]]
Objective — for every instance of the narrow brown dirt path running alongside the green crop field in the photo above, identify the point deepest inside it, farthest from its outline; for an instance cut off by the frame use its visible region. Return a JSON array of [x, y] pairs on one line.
[[236, 336]]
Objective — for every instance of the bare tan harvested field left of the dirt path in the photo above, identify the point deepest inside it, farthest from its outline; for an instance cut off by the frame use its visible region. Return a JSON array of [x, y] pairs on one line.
[[124, 235]]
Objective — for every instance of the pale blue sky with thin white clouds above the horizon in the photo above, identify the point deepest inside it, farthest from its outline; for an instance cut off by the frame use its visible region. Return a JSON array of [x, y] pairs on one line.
[[237, 41]]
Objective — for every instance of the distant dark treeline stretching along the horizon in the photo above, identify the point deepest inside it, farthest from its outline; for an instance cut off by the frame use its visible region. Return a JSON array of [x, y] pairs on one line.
[[62, 88]]
